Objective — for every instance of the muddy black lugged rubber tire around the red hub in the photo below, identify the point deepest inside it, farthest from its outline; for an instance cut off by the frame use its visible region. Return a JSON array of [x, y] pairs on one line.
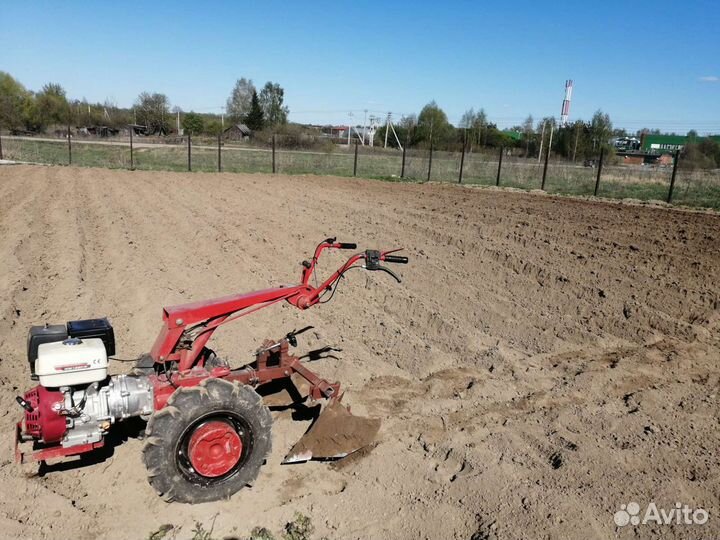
[[169, 427]]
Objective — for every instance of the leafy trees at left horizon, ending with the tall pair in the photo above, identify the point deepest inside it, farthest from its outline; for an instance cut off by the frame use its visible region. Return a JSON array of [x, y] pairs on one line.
[[25, 110]]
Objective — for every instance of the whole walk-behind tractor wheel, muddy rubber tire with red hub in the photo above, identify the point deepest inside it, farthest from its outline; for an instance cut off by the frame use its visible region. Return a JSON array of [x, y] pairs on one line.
[[208, 442]]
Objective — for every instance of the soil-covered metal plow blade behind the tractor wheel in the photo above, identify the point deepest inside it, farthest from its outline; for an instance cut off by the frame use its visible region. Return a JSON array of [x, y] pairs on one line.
[[335, 434]]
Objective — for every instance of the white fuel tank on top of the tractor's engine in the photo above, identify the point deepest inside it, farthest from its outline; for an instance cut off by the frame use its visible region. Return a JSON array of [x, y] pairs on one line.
[[70, 362]]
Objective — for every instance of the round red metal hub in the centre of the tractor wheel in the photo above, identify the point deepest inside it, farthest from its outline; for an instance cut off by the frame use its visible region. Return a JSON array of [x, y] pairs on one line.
[[214, 448]]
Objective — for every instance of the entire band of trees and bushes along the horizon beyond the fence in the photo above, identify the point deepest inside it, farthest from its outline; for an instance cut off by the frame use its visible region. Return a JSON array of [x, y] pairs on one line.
[[265, 112]]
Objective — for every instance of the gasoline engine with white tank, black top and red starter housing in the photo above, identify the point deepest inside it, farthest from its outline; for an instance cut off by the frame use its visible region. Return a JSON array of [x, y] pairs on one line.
[[76, 402]]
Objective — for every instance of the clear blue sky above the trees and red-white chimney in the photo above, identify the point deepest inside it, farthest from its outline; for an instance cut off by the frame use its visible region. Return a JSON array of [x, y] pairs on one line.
[[654, 64]]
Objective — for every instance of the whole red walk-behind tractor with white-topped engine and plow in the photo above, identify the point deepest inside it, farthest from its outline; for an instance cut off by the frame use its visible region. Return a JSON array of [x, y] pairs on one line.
[[208, 428]]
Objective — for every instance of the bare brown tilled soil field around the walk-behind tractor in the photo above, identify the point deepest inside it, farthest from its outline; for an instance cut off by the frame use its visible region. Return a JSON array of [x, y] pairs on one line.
[[544, 361]]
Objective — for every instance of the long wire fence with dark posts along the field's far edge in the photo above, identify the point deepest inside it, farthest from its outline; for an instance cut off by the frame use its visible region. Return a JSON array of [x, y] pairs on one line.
[[489, 167]]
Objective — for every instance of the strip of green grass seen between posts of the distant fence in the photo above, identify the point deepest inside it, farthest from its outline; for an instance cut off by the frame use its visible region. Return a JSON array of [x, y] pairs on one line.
[[695, 189]]
